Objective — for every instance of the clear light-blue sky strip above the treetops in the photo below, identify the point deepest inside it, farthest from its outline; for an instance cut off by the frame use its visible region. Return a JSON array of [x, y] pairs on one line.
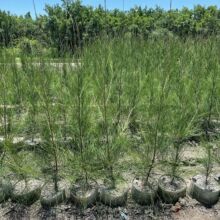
[[21, 7]]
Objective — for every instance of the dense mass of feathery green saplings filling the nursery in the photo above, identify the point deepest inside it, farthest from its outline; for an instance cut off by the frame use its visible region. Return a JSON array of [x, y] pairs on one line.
[[122, 99]]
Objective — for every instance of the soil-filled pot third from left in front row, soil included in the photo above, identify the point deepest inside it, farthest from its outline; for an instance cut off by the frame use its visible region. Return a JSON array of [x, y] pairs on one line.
[[50, 198]]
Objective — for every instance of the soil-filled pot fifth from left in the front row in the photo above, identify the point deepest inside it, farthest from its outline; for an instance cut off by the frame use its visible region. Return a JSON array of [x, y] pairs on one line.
[[114, 197]]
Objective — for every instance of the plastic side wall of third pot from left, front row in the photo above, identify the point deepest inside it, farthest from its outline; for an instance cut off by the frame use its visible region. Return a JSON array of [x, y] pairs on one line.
[[52, 199]]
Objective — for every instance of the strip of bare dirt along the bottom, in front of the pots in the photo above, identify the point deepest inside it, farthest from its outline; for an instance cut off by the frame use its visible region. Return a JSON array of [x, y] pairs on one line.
[[186, 209]]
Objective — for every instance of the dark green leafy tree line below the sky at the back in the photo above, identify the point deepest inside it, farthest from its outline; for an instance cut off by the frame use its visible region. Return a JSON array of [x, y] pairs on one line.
[[71, 24]]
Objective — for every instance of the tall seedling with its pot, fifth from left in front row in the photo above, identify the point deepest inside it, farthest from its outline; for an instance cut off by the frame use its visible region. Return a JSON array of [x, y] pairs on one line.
[[111, 135]]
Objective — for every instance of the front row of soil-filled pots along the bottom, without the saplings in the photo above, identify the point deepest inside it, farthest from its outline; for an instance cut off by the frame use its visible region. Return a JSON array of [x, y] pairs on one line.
[[169, 189]]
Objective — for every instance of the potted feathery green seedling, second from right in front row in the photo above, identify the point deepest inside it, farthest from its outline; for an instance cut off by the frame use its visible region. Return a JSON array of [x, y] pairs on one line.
[[182, 122]]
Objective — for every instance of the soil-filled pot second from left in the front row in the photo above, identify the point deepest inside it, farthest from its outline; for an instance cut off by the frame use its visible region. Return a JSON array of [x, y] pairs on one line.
[[28, 192]]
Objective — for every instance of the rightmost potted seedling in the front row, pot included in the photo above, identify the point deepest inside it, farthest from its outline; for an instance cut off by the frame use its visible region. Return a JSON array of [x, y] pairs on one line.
[[204, 188]]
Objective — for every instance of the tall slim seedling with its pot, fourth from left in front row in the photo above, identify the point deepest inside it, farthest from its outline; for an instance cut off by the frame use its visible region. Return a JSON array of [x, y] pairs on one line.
[[84, 191]]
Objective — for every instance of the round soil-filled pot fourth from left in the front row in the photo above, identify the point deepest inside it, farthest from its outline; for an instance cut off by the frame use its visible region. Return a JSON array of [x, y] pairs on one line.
[[84, 194]]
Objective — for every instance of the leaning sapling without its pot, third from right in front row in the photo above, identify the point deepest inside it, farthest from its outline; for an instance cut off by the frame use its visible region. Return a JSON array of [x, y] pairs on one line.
[[157, 120]]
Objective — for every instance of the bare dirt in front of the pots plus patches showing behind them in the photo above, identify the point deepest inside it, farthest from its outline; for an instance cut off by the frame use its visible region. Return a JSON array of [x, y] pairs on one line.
[[186, 209]]
